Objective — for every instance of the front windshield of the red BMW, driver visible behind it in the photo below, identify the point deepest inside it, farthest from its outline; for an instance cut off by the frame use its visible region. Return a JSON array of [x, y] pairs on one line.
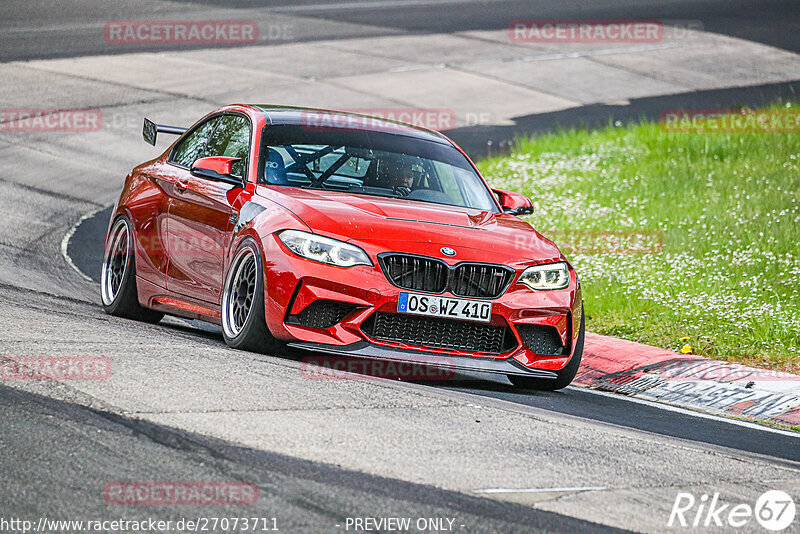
[[371, 163]]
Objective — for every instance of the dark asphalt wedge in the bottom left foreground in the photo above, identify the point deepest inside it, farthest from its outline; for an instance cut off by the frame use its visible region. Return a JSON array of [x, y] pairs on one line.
[[303, 496]]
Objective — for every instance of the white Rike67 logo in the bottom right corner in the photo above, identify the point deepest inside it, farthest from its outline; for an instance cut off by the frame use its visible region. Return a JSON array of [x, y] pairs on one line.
[[774, 510]]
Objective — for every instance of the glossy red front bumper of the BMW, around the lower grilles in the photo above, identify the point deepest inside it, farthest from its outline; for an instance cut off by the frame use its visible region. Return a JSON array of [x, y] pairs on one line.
[[293, 283]]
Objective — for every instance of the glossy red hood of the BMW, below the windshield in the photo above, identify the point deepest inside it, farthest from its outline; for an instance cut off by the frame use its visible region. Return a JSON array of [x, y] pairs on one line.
[[413, 226]]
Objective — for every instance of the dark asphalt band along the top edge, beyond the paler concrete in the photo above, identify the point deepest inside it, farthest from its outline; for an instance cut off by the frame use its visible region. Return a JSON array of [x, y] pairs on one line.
[[34, 30]]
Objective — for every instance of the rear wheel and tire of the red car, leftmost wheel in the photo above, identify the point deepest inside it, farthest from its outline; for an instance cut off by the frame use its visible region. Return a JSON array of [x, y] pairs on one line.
[[118, 277]]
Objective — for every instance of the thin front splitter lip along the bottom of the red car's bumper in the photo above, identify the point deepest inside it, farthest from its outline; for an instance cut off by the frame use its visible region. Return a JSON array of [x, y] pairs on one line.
[[364, 349]]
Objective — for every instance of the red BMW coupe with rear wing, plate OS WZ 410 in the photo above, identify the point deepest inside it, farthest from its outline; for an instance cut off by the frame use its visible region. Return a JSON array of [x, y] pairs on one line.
[[343, 234]]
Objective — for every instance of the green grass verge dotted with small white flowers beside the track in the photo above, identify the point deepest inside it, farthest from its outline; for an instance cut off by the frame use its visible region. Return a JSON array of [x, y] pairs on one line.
[[725, 284]]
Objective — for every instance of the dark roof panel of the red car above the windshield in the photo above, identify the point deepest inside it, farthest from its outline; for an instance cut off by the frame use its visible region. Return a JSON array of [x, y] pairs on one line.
[[301, 115]]
